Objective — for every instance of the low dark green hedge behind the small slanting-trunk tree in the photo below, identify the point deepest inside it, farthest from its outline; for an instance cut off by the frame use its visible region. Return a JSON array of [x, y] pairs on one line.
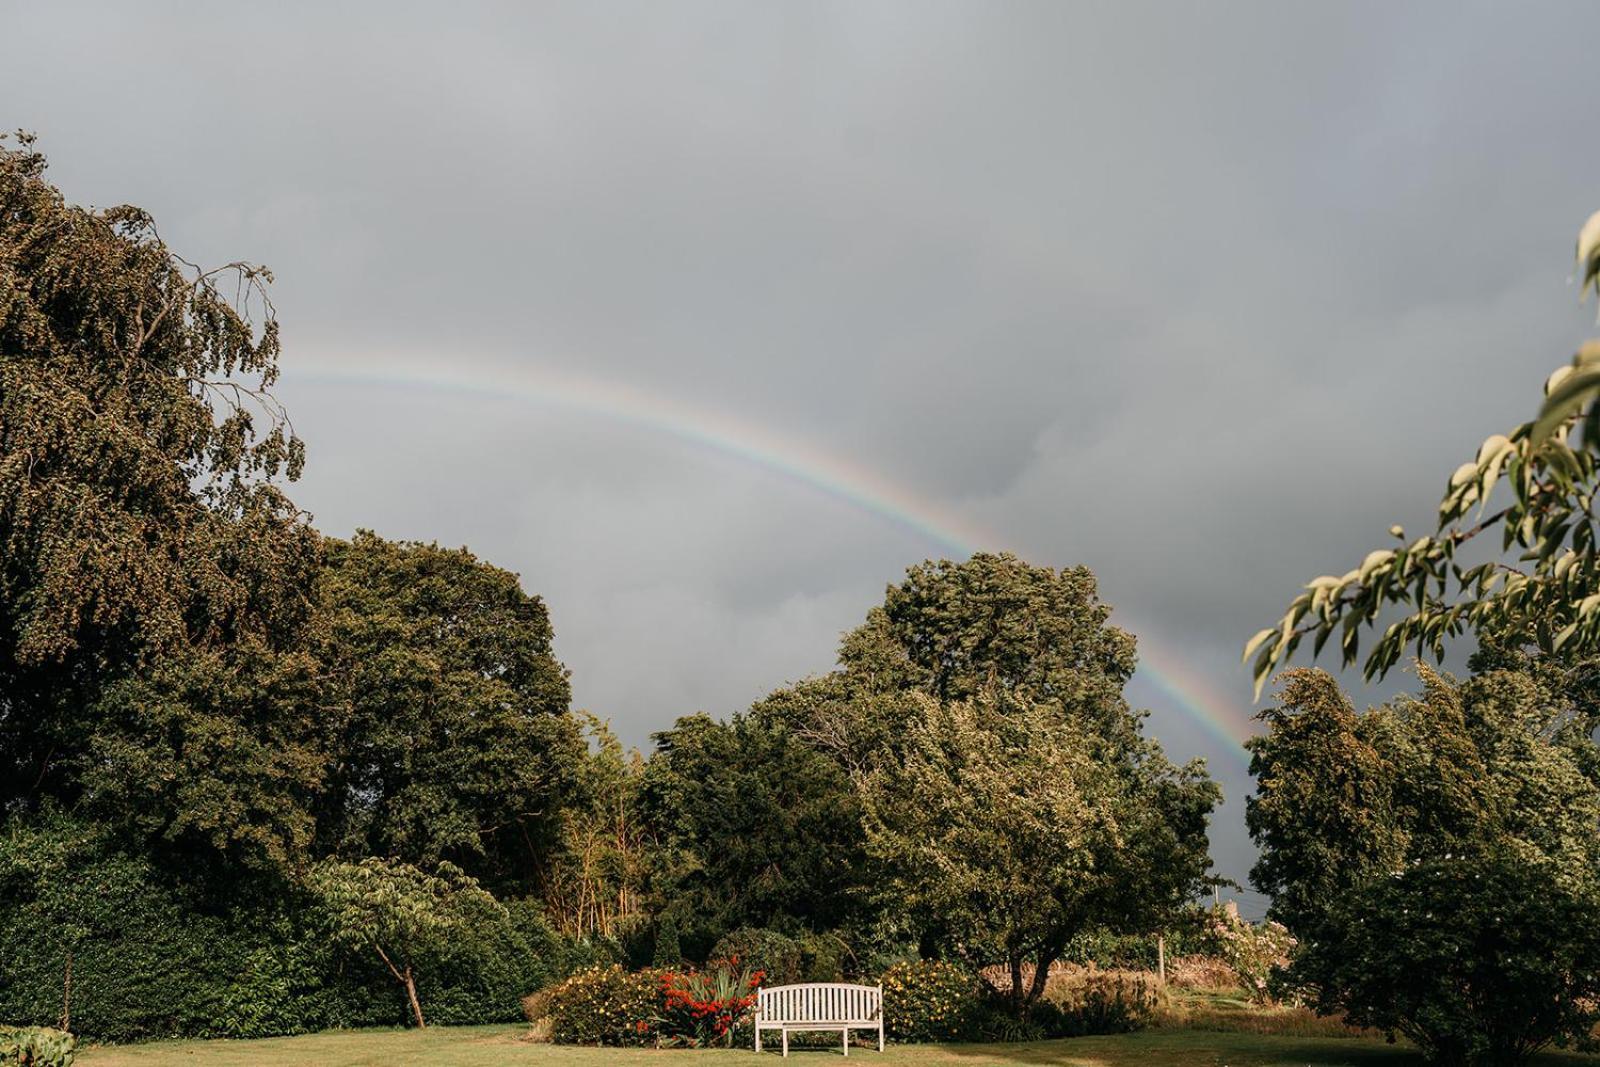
[[150, 959]]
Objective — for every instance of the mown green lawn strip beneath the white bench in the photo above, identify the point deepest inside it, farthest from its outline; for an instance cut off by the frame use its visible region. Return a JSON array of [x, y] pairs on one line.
[[505, 1047]]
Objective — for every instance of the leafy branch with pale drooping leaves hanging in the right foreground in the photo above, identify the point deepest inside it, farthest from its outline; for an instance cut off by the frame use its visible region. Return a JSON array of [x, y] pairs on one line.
[[1532, 573]]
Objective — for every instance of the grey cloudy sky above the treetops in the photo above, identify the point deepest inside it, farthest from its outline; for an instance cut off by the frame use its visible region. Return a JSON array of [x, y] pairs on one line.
[[1204, 297]]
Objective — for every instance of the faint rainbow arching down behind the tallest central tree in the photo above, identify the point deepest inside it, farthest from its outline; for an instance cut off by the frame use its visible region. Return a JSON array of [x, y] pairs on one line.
[[761, 446]]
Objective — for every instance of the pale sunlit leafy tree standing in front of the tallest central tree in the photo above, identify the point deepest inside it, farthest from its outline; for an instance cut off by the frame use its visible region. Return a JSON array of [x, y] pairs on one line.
[[1007, 831]]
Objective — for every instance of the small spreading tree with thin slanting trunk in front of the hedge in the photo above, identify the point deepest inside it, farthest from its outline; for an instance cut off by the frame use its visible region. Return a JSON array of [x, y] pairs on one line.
[[401, 913]]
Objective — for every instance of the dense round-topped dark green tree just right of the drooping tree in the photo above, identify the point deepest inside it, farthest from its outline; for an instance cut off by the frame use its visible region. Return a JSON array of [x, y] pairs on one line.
[[446, 717]]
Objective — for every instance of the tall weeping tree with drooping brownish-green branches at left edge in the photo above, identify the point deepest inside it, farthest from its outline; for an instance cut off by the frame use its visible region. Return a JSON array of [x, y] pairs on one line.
[[151, 572]]
